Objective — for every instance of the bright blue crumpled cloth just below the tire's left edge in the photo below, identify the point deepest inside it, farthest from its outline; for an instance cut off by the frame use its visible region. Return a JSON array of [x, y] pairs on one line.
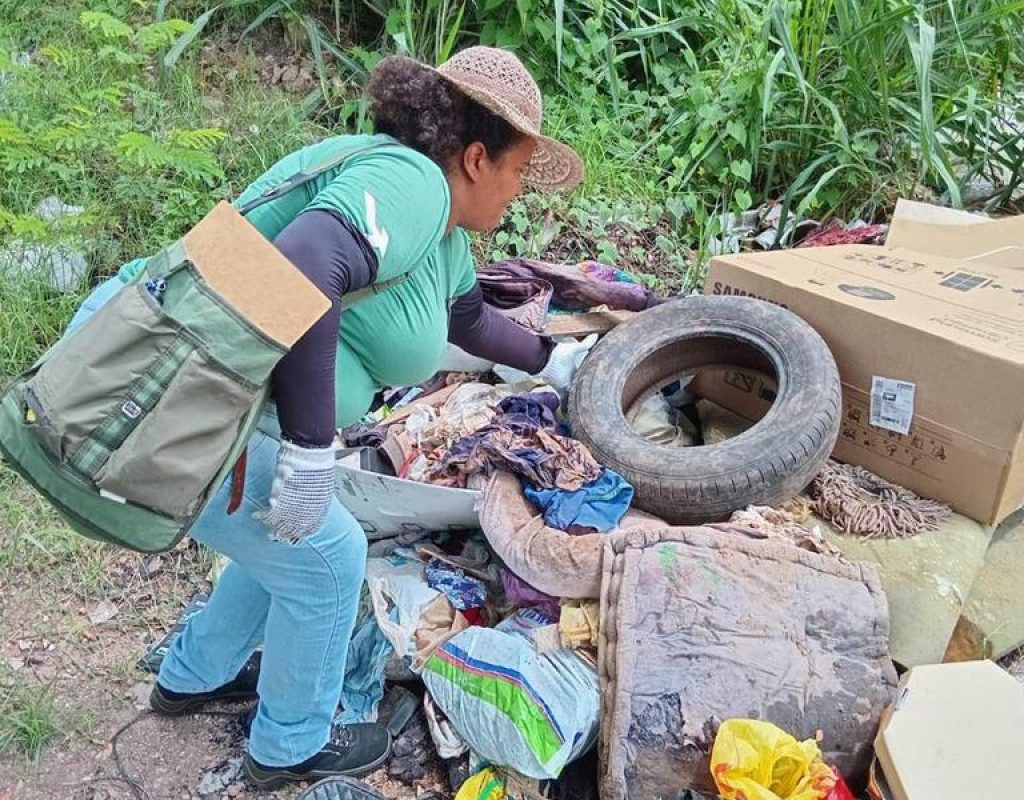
[[600, 506]]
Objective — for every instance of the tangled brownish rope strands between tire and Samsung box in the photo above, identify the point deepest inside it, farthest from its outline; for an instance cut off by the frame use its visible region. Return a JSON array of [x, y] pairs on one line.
[[861, 502]]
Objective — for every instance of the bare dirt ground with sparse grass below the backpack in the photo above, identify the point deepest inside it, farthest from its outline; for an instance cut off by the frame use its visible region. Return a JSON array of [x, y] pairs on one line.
[[76, 618]]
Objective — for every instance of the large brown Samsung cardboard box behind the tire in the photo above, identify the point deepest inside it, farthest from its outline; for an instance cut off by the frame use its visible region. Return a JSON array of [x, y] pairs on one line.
[[948, 335]]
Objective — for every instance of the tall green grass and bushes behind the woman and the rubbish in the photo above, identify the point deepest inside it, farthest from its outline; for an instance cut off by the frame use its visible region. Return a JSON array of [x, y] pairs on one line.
[[686, 111]]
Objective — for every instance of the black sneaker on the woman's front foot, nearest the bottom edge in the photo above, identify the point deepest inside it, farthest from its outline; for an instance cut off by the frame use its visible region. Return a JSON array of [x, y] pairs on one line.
[[355, 751]]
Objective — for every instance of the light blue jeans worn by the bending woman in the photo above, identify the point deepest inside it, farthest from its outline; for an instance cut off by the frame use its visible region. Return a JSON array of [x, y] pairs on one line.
[[300, 601]]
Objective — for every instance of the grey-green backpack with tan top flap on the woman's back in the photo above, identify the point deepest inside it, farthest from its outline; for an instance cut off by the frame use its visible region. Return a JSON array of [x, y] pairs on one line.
[[131, 424]]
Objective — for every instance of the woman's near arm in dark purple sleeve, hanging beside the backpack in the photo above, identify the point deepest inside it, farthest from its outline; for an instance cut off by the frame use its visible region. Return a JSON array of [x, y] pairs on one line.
[[337, 260]]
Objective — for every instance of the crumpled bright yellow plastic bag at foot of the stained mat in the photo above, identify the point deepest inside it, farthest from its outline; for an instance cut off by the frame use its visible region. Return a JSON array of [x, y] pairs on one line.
[[756, 761]]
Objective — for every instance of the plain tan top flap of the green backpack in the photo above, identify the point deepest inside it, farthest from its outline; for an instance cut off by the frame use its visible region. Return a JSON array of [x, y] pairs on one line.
[[252, 276]]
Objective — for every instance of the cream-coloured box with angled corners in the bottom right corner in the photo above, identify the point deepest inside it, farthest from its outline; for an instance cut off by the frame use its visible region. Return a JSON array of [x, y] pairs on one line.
[[953, 734]]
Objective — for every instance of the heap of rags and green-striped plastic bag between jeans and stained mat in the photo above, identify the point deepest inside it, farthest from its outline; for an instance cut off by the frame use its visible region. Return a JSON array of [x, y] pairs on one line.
[[508, 675]]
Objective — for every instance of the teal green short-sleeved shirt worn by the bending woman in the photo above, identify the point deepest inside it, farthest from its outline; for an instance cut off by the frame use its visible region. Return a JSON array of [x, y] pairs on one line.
[[401, 201]]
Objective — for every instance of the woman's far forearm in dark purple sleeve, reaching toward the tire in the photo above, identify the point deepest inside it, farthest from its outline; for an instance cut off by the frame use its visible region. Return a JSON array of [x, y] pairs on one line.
[[482, 331]]
